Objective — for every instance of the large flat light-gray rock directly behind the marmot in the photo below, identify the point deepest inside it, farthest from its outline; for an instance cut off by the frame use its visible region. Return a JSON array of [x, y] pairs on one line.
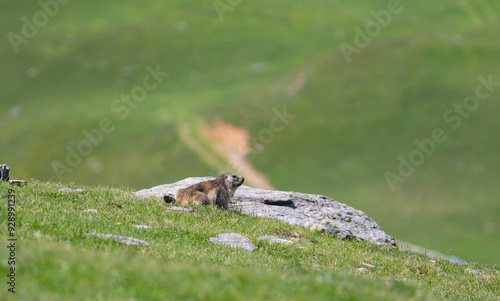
[[309, 210]]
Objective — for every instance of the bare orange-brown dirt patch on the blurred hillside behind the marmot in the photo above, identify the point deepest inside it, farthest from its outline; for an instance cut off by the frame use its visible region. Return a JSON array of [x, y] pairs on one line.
[[233, 144]]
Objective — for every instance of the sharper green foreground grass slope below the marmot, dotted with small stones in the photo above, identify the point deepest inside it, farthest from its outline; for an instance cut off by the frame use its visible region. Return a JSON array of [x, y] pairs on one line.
[[56, 261]]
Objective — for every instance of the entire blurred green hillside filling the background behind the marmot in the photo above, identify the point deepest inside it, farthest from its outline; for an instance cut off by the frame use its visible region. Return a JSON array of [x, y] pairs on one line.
[[354, 116]]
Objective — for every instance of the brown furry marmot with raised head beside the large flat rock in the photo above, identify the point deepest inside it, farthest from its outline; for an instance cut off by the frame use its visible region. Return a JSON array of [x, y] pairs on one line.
[[216, 192]]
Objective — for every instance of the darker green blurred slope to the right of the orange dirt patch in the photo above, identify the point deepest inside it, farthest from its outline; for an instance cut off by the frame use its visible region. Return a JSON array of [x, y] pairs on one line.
[[348, 142]]
